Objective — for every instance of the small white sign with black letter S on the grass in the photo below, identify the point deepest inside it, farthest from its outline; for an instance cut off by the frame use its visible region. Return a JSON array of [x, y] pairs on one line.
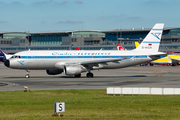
[[59, 107]]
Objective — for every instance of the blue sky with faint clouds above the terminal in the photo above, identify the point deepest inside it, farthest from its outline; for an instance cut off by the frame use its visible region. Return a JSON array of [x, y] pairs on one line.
[[68, 15]]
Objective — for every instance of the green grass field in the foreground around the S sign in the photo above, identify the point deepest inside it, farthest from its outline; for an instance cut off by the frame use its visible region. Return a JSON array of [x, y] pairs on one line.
[[87, 104]]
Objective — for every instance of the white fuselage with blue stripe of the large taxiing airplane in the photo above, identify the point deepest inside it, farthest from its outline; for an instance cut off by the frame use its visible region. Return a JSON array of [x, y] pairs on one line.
[[43, 60]]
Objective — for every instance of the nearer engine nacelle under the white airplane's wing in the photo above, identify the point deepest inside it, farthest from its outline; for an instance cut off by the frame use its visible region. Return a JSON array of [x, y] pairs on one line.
[[73, 69]]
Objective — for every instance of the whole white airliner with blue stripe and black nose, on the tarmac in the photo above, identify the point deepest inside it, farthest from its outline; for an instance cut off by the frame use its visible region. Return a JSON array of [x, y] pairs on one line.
[[75, 62]]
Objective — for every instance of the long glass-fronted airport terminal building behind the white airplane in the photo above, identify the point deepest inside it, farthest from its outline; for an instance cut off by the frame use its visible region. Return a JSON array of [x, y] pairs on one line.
[[11, 42]]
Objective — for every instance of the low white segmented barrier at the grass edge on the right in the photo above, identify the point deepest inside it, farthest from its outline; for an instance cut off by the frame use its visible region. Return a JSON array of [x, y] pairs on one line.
[[142, 91]]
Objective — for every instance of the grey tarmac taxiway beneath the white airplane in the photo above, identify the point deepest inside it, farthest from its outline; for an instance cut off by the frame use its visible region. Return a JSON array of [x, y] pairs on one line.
[[137, 76]]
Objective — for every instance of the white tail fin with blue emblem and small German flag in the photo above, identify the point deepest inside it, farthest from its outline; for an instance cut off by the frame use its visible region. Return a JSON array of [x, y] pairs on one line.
[[152, 41]]
